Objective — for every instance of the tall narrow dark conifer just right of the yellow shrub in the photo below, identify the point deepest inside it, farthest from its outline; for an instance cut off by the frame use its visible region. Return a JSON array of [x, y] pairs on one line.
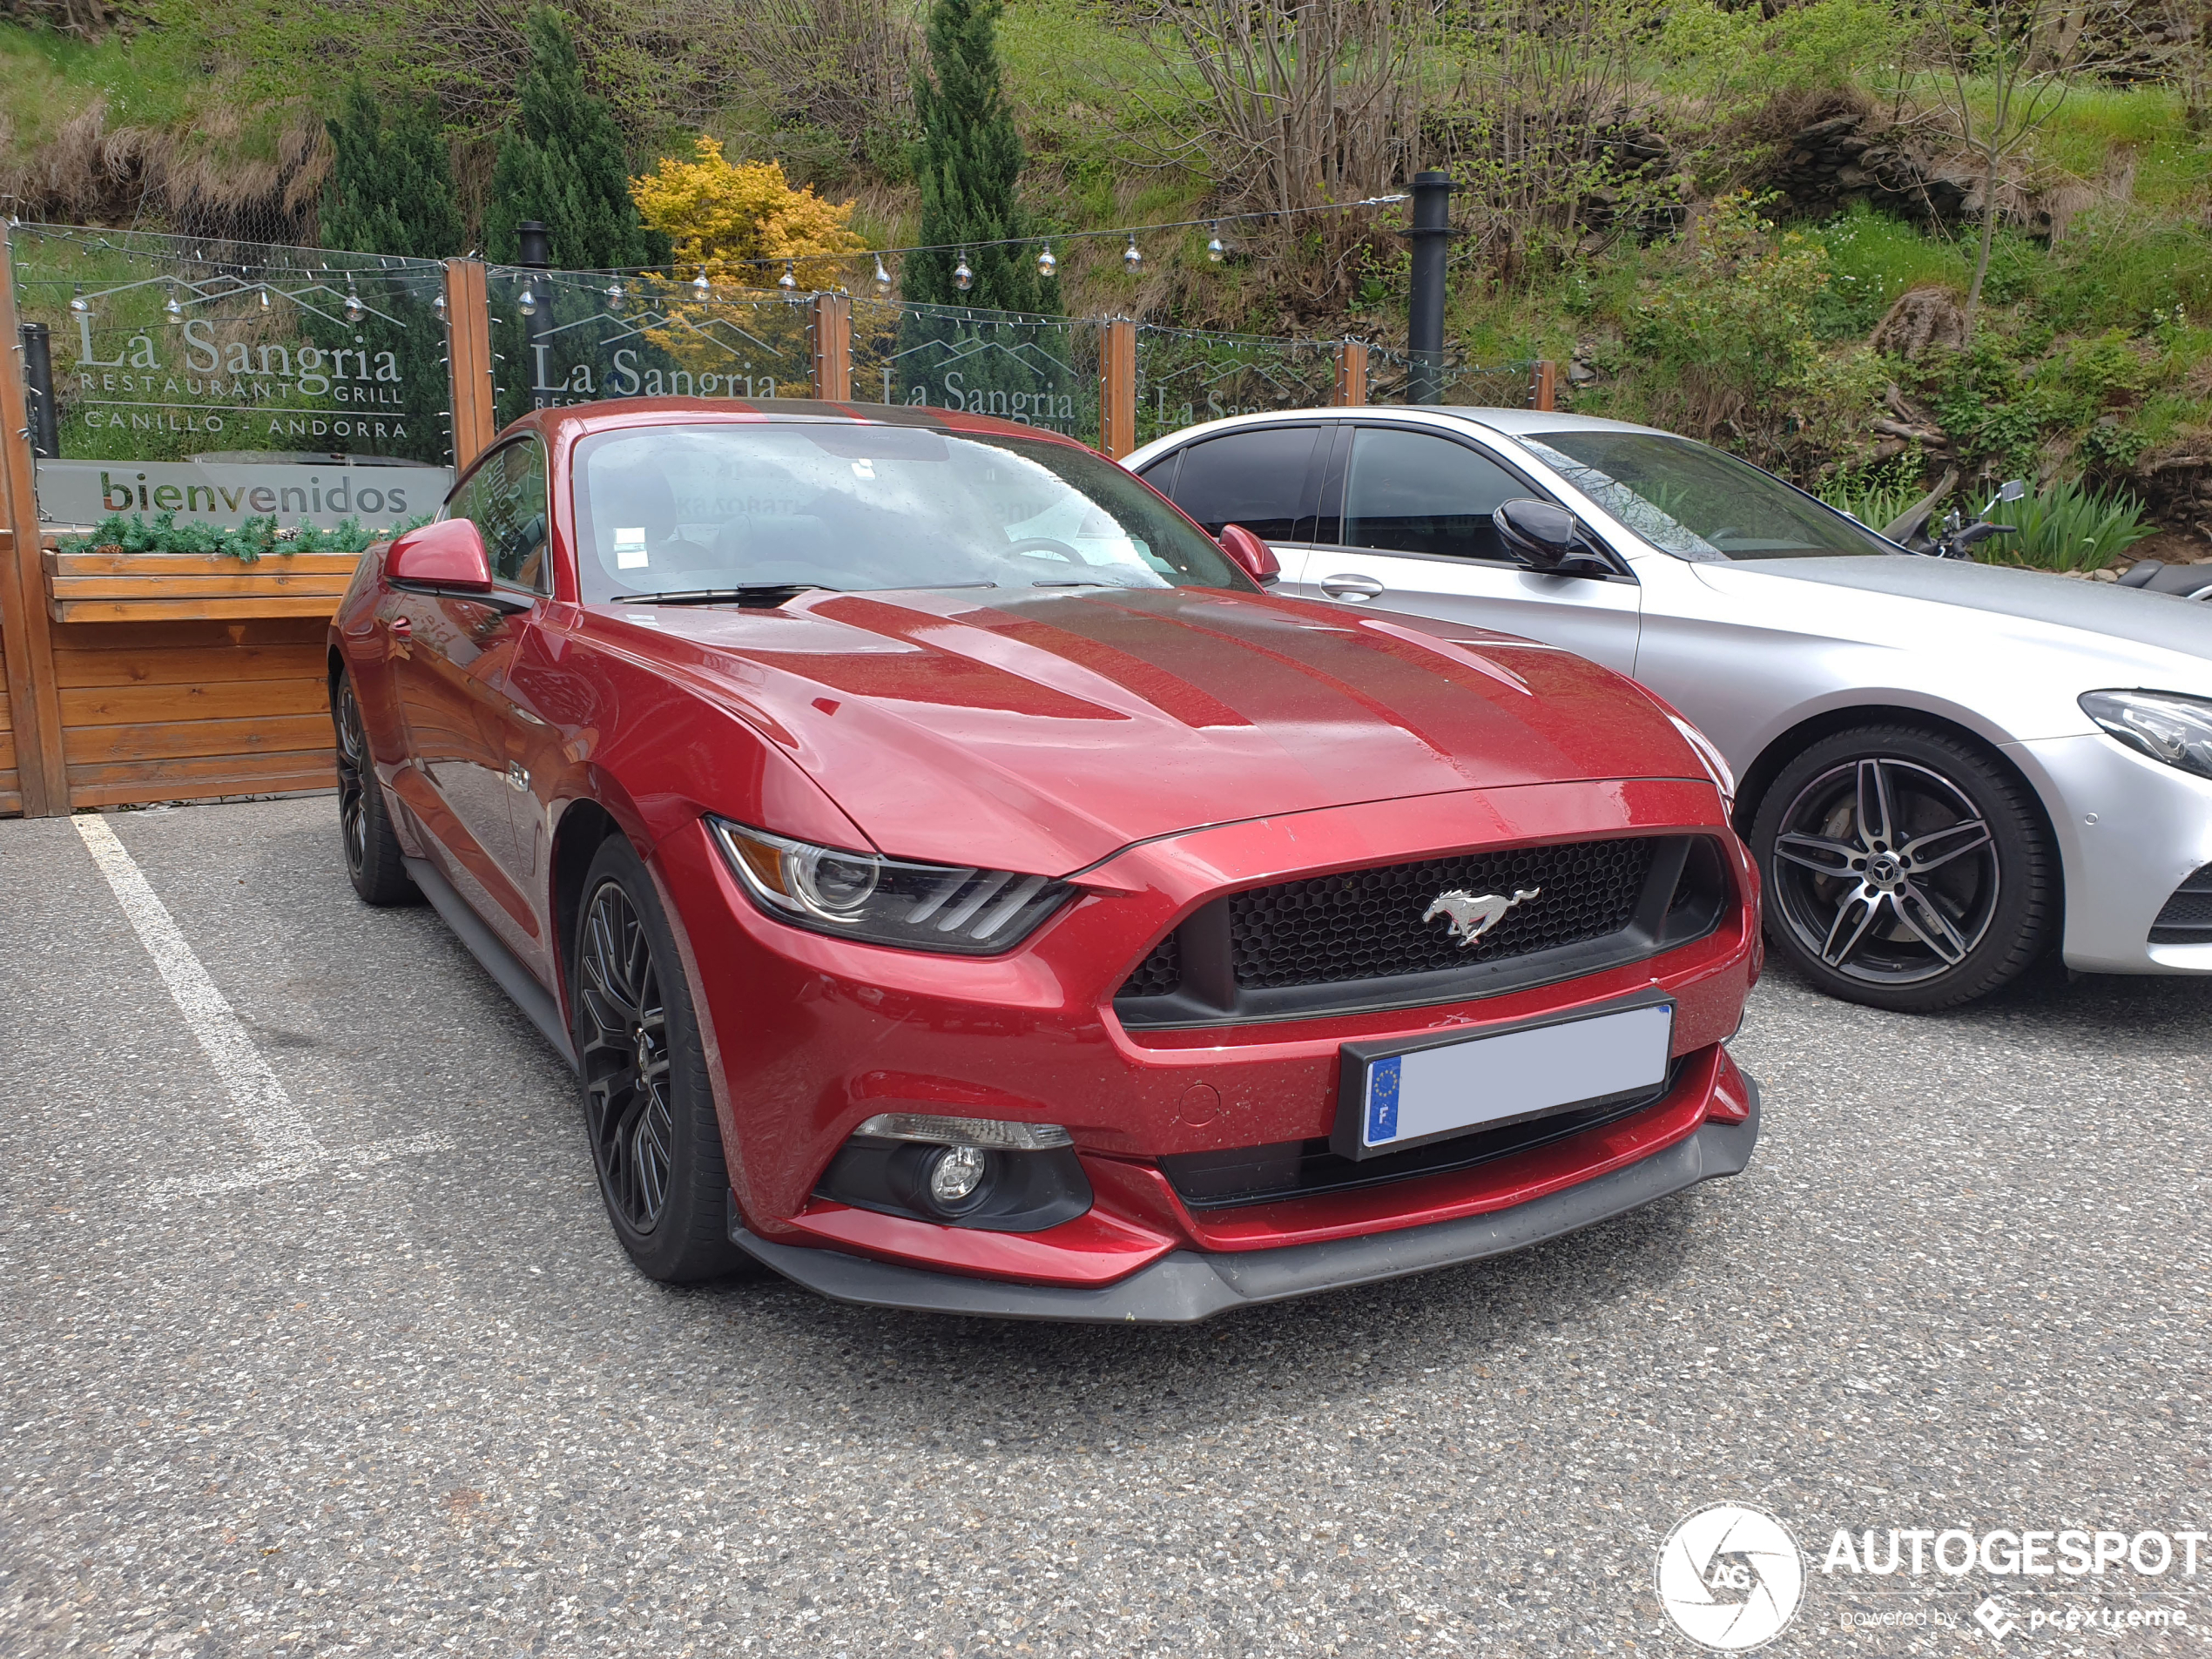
[[970, 163]]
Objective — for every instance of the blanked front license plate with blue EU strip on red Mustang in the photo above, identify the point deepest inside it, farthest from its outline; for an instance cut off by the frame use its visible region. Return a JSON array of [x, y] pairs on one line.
[[1408, 1094]]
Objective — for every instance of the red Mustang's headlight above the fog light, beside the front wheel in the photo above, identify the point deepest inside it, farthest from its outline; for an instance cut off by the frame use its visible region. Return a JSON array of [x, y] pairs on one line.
[[888, 901]]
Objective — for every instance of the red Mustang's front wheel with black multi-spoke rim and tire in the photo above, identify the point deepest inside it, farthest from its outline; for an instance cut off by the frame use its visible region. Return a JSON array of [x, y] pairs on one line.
[[649, 1107]]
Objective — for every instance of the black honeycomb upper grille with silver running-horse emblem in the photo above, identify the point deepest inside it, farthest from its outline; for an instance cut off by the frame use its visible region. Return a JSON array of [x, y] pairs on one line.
[[1432, 930]]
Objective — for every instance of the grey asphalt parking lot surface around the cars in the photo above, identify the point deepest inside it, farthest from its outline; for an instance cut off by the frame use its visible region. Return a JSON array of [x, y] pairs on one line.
[[353, 1366]]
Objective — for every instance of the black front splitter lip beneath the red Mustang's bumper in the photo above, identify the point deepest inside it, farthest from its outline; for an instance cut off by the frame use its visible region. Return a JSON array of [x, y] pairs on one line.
[[1189, 1286]]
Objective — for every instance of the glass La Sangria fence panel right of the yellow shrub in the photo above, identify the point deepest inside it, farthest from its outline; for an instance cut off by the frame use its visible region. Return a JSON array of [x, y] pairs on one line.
[[1034, 371]]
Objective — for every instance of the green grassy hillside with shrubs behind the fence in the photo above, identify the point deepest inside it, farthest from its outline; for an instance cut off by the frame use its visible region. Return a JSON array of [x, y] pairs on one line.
[[1755, 229]]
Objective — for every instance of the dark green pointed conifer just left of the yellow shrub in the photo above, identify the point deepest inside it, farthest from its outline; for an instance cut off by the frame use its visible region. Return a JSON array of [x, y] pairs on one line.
[[563, 165]]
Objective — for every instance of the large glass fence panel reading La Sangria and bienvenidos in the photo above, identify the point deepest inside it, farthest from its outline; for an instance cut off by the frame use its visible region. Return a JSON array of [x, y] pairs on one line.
[[225, 382]]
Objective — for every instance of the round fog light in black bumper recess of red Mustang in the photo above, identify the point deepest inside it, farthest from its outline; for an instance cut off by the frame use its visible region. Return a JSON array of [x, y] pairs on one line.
[[963, 1171]]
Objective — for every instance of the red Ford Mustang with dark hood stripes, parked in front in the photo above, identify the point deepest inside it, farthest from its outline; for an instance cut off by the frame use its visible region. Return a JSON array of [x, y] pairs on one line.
[[961, 886]]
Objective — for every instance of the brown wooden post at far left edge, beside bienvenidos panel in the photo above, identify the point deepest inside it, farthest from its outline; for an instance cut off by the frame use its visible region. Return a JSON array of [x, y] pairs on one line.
[[25, 629]]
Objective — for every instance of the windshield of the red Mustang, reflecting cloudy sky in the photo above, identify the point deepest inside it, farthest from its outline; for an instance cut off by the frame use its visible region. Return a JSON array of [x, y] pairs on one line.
[[844, 505]]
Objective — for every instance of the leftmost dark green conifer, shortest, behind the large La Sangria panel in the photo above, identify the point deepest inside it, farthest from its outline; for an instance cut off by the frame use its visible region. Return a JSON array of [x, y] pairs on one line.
[[393, 185]]
